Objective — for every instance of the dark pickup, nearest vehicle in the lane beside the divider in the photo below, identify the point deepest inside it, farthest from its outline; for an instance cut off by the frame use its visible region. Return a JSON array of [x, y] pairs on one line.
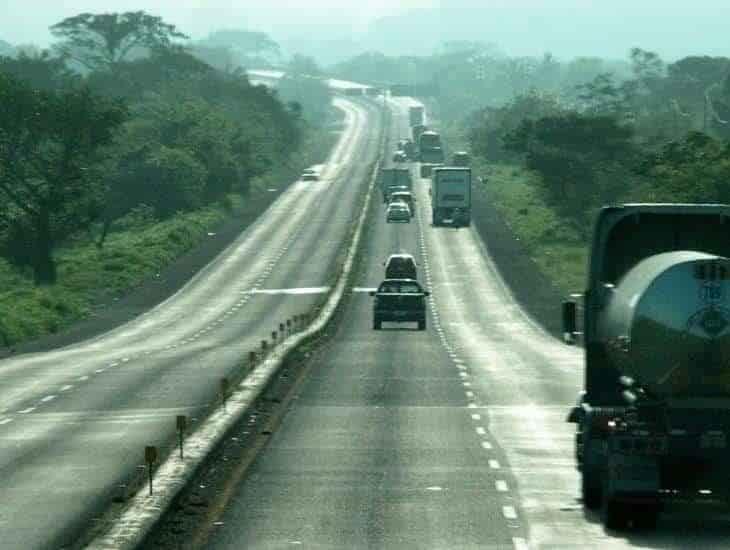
[[400, 301]]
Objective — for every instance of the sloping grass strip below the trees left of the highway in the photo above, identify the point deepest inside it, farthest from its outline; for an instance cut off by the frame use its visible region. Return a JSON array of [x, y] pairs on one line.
[[136, 249]]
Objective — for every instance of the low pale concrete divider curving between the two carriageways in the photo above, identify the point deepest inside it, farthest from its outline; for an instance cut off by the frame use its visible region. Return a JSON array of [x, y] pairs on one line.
[[144, 511]]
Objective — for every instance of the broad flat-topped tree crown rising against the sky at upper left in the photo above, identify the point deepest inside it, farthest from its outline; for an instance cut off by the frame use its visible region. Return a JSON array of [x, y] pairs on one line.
[[103, 40]]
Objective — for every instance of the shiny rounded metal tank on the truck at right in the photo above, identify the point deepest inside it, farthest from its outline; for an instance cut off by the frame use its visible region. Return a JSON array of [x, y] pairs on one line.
[[666, 325]]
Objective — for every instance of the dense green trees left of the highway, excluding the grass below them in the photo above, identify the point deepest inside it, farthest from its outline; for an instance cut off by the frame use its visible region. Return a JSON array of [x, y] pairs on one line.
[[141, 125]]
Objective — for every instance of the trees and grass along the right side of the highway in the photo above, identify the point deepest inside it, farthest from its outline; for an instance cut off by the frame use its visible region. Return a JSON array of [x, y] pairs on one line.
[[556, 140]]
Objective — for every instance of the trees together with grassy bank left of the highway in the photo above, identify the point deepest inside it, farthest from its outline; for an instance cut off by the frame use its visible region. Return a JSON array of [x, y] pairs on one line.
[[124, 146]]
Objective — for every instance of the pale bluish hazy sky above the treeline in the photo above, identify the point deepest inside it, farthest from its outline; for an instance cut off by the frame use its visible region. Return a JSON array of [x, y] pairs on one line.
[[333, 29]]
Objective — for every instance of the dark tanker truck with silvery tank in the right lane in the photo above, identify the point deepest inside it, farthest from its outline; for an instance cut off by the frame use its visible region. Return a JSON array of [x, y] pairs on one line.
[[654, 416]]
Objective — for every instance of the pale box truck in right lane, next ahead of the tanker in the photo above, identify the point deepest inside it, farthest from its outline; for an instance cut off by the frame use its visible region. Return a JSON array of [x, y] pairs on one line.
[[451, 196]]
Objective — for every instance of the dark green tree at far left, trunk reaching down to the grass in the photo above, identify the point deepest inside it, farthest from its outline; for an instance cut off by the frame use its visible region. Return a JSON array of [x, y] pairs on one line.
[[48, 143]]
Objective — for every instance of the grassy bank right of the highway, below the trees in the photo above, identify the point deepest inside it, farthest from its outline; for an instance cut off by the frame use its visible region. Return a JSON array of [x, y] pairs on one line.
[[552, 244]]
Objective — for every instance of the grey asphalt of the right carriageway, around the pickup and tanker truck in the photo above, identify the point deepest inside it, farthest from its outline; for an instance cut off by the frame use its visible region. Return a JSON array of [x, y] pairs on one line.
[[450, 438]]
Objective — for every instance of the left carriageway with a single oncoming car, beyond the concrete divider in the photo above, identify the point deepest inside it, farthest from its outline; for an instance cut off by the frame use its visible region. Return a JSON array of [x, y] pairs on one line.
[[74, 422]]
